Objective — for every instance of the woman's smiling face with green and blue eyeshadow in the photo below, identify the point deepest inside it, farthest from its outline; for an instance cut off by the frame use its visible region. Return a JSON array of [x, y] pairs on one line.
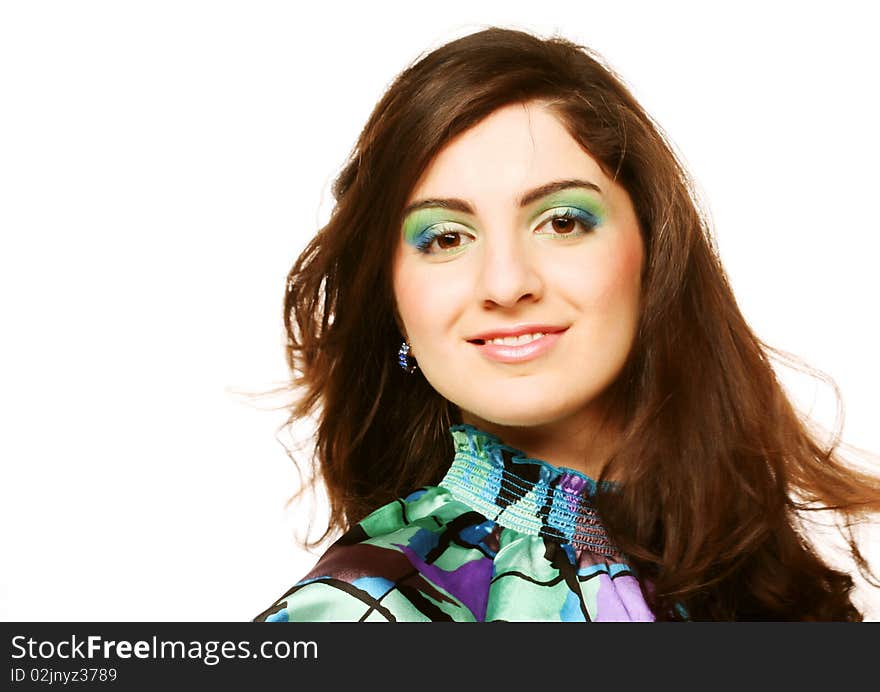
[[498, 255]]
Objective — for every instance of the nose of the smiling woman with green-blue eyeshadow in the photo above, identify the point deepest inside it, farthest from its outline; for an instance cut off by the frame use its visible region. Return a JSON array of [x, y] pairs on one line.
[[509, 272]]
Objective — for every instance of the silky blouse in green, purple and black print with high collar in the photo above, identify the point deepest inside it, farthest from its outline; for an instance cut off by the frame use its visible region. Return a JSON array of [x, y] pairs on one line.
[[502, 537]]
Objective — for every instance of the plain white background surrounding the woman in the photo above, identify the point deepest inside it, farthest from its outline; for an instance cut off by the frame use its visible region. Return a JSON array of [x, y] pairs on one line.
[[162, 164]]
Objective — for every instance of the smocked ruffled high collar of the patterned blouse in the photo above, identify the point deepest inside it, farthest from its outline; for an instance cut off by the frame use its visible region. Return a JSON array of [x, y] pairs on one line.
[[525, 494]]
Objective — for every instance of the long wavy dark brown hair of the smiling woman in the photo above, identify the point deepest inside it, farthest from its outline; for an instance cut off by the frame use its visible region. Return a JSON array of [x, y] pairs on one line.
[[715, 466]]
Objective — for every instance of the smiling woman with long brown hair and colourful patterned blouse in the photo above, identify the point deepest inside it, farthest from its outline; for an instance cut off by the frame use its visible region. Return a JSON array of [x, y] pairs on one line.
[[536, 396]]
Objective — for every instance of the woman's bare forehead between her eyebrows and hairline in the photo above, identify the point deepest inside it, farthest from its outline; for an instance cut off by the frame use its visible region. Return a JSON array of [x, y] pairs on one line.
[[516, 147]]
